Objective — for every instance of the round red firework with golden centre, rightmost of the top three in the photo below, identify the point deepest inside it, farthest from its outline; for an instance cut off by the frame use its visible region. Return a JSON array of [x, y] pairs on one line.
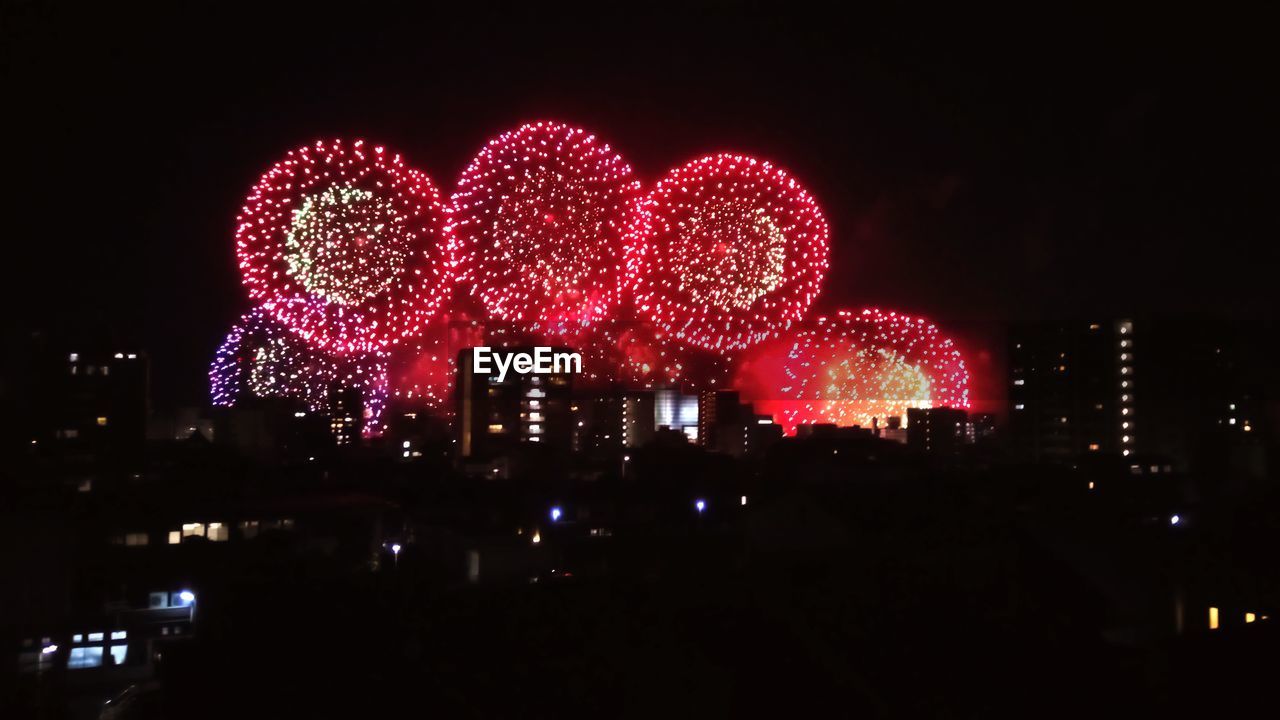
[[729, 252]]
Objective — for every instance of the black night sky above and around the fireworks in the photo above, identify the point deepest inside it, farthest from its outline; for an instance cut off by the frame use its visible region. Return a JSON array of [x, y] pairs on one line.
[[975, 170]]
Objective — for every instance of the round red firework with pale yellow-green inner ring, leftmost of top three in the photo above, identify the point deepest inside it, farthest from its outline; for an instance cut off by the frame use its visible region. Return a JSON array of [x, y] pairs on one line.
[[344, 244]]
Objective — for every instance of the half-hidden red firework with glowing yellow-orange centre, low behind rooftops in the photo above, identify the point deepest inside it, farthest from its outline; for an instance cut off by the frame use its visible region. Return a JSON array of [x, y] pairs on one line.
[[854, 367]]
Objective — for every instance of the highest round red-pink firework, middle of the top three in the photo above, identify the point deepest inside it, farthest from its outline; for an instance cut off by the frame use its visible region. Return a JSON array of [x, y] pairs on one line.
[[540, 227]]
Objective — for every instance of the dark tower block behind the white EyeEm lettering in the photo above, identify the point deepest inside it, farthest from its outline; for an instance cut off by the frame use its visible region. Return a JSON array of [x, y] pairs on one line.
[[496, 418]]
